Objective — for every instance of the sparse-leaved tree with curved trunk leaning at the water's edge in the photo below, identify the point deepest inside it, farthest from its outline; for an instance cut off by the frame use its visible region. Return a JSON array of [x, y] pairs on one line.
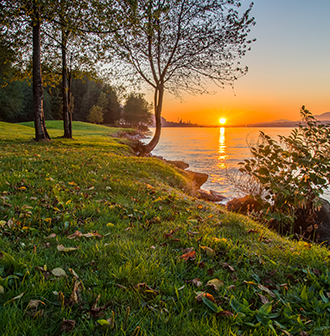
[[177, 45]]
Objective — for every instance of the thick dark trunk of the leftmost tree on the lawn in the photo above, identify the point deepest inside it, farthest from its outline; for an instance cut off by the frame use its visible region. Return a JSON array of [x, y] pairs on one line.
[[38, 90]]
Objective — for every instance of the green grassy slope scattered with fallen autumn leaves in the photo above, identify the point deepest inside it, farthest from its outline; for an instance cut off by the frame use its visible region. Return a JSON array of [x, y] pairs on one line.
[[94, 184]]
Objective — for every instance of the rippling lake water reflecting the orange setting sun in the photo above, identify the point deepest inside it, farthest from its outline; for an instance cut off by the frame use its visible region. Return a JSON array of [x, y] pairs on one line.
[[214, 151]]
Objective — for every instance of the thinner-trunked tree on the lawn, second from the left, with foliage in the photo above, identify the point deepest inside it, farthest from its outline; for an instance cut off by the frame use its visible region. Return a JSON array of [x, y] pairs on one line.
[[79, 51]]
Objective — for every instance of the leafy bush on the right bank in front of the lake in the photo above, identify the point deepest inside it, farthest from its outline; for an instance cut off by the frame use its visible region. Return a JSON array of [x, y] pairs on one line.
[[293, 172]]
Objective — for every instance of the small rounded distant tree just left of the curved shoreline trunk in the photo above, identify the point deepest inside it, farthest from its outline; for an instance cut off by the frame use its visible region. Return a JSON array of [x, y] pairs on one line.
[[137, 111]]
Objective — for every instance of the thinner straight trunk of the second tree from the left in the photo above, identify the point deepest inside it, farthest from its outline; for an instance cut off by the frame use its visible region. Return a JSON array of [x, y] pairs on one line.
[[65, 91]]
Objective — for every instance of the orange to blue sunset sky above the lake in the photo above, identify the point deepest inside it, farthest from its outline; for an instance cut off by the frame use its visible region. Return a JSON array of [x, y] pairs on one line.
[[289, 66]]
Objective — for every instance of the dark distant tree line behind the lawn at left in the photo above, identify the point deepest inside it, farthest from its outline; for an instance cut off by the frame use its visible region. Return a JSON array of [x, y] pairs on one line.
[[92, 100]]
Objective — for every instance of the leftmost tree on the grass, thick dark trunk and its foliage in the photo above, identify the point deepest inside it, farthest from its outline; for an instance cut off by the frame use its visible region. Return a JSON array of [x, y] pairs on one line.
[[20, 26]]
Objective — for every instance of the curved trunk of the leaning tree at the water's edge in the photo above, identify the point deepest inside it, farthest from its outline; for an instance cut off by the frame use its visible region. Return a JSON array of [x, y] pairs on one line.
[[158, 101]]
